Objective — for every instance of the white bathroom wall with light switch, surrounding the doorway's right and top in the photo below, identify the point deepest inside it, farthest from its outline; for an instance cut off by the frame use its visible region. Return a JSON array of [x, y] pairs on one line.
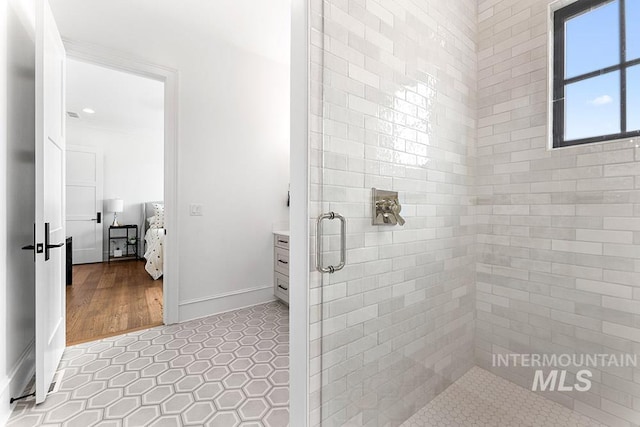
[[232, 148]]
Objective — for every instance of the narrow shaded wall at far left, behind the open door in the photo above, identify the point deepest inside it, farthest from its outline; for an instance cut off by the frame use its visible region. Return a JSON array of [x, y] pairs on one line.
[[17, 185]]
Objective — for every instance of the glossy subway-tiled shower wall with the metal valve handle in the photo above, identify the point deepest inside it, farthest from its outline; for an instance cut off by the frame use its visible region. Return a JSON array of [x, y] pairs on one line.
[[393, 106]]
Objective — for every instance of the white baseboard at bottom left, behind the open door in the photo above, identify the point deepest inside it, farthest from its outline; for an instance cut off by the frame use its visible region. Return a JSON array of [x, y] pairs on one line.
[[14, 384]]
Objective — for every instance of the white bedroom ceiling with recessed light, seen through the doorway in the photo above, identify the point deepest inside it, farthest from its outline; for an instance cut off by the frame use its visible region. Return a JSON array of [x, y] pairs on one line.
[[121, 101]]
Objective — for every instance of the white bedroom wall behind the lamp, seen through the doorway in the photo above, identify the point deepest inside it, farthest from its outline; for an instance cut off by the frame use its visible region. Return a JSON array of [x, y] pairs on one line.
[[133, 168]]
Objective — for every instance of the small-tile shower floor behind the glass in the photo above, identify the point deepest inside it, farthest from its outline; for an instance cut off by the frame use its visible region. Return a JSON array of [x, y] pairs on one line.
[[480, 398]]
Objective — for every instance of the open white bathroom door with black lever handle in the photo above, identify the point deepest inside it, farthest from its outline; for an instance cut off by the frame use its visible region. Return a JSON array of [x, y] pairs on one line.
[[50, 193]]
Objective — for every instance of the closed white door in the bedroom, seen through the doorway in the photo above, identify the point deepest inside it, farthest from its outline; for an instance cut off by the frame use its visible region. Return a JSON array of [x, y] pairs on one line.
[[84, 202]]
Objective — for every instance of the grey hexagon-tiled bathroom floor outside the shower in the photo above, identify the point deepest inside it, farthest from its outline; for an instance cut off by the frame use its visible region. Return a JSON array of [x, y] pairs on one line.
[[227, 370]]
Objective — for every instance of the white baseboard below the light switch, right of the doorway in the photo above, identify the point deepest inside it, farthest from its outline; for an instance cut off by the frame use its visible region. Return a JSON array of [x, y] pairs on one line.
[[208, 306]]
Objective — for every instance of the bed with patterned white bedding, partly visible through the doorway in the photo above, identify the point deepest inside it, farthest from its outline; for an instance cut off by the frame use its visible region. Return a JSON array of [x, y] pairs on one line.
[[154, 234]]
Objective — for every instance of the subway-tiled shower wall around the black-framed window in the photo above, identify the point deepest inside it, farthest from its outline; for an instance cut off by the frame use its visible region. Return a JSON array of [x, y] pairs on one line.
[[558, 230]]
